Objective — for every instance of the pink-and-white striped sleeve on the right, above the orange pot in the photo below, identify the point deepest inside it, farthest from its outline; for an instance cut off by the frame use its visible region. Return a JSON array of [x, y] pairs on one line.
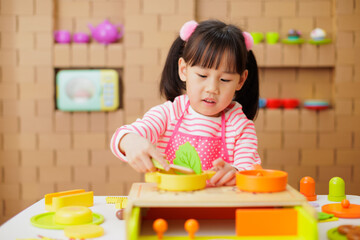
[[245, 152]]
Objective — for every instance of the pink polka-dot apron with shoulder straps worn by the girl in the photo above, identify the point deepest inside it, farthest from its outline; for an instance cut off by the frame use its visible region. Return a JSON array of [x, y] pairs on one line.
[[208, 148]]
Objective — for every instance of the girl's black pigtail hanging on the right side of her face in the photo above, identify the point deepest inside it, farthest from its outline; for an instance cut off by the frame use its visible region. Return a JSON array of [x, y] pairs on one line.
[[248, 95]]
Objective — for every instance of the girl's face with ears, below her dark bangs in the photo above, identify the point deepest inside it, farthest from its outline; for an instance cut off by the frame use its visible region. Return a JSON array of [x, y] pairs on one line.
[[210, 90]]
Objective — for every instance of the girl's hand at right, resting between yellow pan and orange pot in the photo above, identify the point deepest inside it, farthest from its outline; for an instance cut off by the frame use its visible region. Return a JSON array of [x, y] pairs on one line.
[[225, 173]]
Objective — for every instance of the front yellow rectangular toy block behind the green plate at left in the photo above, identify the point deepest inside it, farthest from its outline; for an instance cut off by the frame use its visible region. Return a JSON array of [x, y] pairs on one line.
[[85, 199]]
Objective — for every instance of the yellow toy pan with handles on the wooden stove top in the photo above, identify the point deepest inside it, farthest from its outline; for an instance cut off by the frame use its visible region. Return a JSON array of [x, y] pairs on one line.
[[174, 182]]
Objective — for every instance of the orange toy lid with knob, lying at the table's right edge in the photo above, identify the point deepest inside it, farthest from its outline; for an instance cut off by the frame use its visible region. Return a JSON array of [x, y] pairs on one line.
[[343, 209]]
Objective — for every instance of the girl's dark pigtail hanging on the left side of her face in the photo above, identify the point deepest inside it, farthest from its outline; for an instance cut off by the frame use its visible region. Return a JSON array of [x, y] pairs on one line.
[[171, 85]]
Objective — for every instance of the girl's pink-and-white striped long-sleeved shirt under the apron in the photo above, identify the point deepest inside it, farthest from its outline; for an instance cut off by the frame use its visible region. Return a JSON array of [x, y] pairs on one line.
[[158, 124]]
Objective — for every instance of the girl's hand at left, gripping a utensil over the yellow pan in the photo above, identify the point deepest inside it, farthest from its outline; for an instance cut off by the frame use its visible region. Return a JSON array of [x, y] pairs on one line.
[[139, 152]]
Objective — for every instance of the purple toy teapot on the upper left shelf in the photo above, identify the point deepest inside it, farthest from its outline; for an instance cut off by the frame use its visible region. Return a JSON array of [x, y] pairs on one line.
[[106, 32]]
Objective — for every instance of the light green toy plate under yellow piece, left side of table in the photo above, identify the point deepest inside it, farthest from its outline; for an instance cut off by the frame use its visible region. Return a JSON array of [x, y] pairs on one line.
[[46, 220]]
